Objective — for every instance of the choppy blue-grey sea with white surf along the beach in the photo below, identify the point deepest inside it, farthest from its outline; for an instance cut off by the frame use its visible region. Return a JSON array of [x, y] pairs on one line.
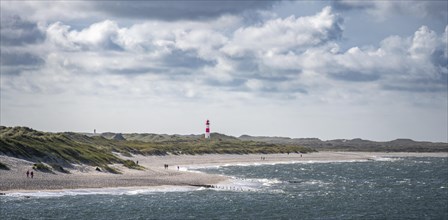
[[388, 188]]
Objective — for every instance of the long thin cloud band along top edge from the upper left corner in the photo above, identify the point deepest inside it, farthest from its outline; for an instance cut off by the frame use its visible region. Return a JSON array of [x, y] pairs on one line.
[[134, 10]]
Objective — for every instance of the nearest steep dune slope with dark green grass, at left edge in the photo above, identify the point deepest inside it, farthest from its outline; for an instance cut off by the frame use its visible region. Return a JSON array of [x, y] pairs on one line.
[[60, 148]]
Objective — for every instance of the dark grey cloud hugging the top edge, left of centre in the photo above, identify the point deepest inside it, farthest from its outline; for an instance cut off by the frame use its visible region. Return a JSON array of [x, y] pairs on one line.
[[177, 10]]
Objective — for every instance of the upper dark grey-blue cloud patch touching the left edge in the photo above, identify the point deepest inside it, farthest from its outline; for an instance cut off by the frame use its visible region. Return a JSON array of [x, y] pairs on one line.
[[15, 31]]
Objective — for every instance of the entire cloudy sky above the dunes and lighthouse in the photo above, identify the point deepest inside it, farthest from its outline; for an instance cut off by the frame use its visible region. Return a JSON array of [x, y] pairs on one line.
[[327, 69]]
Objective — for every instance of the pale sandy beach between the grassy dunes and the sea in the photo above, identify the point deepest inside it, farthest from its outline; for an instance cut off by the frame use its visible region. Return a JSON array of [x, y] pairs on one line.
[[155, 174]]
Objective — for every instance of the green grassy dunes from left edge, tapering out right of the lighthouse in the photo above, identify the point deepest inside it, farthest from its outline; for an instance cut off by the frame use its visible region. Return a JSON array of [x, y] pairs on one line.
[[68, 148]]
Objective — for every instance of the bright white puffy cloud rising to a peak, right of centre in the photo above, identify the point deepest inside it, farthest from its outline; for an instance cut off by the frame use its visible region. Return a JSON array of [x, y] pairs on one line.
[[289, 34]]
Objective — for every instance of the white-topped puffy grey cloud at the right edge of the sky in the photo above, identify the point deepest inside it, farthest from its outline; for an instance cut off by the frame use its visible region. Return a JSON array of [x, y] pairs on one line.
[[416, 63]]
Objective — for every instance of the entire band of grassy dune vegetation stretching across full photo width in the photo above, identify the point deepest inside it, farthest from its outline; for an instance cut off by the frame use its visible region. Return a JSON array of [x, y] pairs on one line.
[[61, 150]]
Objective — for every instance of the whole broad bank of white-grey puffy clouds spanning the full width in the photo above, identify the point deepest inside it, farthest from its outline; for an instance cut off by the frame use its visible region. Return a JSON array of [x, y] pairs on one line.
[[277, 58]]
